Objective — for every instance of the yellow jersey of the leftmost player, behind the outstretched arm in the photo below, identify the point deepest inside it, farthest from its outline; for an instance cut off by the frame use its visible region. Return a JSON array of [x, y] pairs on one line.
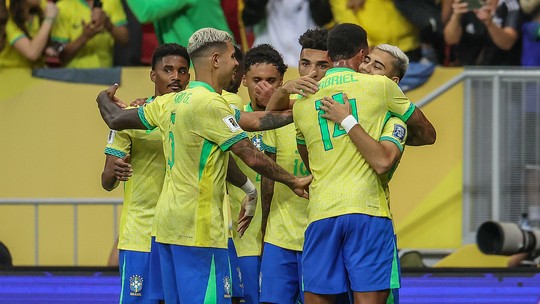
[[142, 190]]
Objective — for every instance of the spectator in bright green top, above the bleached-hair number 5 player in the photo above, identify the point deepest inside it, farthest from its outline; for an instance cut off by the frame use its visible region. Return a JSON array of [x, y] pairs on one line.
[[175, 21]]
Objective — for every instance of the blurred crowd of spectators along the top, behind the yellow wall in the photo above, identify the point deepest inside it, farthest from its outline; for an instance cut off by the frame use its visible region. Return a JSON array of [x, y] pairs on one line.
[[106, 33]]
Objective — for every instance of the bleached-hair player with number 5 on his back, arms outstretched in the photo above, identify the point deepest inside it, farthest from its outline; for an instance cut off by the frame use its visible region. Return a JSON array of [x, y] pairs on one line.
[[198, 127]]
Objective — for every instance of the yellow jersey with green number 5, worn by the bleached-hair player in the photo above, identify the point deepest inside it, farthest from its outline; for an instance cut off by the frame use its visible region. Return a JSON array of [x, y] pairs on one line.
[[197, 127]]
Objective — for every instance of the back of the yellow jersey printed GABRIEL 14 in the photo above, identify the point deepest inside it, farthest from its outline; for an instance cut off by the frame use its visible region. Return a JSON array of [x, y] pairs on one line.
[[343, 181]]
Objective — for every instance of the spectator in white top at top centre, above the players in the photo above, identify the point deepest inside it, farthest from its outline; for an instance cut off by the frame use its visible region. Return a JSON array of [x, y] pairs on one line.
[[270, 17]]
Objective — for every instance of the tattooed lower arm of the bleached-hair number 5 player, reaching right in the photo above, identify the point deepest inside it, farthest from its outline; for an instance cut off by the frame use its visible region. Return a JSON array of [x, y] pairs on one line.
[[263, 165]]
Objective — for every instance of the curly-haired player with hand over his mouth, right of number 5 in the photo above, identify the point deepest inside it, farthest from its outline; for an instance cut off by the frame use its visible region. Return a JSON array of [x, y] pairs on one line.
[[264, 70]]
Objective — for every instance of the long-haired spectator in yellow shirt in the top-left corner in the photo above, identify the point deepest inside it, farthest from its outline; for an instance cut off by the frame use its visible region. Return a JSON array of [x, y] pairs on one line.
[[27, 33]]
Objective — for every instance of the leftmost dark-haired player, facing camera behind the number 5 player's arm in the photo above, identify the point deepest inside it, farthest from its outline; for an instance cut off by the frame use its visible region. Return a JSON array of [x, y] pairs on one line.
[[144, 176]]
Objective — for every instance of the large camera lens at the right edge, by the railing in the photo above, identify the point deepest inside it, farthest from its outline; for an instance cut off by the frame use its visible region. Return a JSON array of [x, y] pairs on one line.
[[504, 238]]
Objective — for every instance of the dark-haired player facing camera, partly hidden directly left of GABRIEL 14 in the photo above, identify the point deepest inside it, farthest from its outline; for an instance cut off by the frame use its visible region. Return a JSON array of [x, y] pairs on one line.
[[284, 216]]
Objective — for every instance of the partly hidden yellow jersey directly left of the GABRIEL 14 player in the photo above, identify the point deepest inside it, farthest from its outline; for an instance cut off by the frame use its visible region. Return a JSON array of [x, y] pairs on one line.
[[287, 220]]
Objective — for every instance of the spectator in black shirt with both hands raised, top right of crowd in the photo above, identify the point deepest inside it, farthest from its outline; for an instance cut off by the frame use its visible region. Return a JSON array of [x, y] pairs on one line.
[[487, 35]]
